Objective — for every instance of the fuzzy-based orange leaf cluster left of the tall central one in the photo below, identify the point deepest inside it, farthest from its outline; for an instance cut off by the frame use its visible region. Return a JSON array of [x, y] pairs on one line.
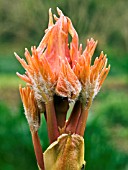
[[39, 75]]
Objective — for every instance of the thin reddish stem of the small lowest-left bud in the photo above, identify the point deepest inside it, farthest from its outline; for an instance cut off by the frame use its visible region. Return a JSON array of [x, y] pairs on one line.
[[38, 150]]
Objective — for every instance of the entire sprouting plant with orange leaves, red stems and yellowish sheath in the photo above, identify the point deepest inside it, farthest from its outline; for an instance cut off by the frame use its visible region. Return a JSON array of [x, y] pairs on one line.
[[56, 74]]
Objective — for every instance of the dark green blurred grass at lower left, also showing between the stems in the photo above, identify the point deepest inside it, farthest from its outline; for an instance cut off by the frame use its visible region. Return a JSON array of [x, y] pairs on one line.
[[16, 150]]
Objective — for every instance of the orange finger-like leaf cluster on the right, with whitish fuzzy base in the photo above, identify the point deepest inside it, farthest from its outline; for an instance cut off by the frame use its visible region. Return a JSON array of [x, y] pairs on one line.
[[91, 76]]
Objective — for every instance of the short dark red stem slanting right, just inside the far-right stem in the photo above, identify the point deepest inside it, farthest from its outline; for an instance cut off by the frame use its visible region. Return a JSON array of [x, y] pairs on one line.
[[74, 117]]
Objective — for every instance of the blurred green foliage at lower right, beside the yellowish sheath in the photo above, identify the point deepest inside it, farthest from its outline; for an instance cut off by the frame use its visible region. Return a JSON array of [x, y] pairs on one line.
[[107, 126]]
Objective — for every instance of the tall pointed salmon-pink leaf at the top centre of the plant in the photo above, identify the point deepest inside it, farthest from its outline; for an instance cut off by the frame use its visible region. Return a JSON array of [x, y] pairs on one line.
[[54, 45]]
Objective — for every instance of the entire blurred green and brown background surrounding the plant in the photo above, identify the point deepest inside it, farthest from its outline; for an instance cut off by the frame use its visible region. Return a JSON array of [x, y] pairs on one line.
[[22, 24]]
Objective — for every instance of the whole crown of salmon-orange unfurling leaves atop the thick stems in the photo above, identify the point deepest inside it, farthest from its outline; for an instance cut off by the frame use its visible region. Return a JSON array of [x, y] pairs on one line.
[[59, 67]]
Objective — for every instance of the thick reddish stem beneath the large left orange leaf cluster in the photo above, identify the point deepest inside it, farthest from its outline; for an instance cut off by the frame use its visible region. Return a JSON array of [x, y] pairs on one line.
[[52, 126]]
